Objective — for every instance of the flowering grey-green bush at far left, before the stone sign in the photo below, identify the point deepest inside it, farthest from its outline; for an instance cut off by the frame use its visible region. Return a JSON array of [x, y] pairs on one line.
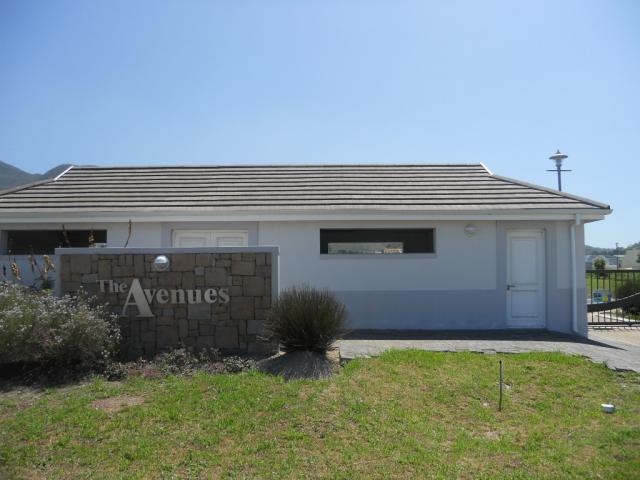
[[36, 327]]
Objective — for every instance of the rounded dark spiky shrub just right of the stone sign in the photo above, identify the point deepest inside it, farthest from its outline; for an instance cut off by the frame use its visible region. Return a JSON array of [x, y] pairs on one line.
[[303, 318]]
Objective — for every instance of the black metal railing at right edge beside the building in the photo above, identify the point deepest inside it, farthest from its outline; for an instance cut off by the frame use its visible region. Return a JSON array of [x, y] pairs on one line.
[[613, 298]]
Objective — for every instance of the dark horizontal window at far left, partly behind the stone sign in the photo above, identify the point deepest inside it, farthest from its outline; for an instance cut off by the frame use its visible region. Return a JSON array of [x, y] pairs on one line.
[[40, 242]]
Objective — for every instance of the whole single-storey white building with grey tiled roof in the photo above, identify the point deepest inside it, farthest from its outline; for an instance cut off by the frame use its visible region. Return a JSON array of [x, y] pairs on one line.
[[429, 246]]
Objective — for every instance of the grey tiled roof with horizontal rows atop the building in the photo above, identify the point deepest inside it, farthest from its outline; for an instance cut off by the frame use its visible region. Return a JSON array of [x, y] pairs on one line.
[[420, 187]]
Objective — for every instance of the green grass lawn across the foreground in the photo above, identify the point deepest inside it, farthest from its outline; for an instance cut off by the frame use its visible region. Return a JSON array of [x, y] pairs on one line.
[[405, 414]]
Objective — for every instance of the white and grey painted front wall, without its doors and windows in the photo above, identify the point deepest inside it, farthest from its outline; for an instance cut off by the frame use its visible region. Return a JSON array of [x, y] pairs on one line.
[[461, 285]]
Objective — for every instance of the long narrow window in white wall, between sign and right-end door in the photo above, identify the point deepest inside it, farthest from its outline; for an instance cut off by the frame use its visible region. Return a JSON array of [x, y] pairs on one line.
[[376, 241]]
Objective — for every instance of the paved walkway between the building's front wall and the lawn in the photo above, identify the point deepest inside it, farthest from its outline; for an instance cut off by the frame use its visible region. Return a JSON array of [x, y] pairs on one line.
[[618, 355]]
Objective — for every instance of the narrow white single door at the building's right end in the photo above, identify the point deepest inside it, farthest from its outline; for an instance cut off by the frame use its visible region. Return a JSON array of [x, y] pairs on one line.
[[525, 279]]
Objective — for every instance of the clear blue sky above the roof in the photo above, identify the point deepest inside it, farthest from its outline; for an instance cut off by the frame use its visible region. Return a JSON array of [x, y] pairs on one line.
[[231, 82]]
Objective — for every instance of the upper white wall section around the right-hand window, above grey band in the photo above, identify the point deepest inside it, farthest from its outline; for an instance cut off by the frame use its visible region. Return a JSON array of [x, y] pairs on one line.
[[460, 262]]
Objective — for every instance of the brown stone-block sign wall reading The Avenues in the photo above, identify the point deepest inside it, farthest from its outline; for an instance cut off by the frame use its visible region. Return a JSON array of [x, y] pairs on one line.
[[205, 297]]
